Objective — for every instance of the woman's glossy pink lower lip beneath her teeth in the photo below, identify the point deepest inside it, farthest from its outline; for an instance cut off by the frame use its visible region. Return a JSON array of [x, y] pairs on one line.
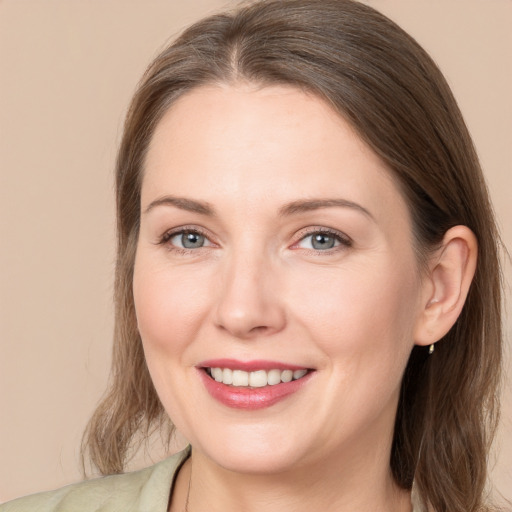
[[251, 398]]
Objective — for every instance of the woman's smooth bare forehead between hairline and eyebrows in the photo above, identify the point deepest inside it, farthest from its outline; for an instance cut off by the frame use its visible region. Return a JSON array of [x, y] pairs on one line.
[[262, 146]]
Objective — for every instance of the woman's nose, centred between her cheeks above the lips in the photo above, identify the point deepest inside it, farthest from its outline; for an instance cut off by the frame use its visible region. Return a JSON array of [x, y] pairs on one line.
[[250, 303]]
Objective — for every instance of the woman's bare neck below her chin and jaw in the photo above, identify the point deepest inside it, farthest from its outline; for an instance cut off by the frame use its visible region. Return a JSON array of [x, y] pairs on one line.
[[203, 485]]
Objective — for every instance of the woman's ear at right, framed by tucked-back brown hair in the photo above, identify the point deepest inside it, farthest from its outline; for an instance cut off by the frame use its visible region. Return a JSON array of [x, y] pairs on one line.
[[446, 286]]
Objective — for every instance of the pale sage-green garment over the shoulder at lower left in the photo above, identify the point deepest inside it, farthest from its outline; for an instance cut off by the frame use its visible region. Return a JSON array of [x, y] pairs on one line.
[[146, 490]]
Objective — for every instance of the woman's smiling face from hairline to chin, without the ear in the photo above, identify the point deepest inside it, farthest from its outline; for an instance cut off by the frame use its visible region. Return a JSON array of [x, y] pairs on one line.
[[273, 245]]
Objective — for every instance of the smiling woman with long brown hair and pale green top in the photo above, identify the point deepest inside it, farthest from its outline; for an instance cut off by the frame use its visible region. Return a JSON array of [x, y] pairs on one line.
[[307, 278]]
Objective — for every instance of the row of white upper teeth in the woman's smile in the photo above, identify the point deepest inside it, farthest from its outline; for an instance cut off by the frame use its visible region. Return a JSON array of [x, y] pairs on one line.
[[256, 379]]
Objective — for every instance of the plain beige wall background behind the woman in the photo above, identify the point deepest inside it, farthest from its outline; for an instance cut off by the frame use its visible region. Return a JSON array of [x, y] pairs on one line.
[[67, 71]]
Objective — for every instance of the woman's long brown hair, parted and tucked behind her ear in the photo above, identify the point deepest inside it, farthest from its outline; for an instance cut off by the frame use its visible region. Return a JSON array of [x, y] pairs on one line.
[[381, 81]]
